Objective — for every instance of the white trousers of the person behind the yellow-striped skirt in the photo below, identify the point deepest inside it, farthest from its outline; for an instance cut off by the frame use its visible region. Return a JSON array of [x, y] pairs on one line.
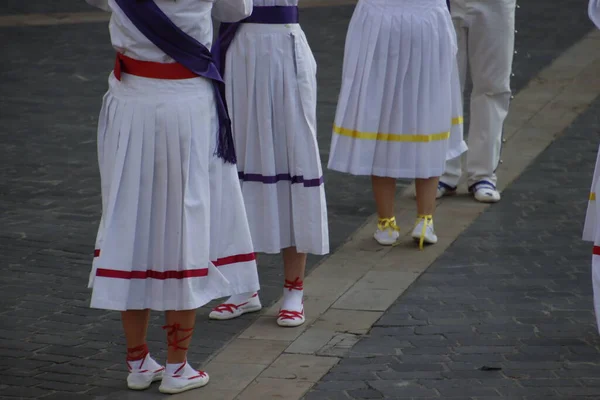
[[485, 31]]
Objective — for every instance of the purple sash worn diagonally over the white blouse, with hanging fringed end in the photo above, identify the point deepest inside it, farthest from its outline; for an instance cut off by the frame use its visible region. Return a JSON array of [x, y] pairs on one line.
[[149, 19]]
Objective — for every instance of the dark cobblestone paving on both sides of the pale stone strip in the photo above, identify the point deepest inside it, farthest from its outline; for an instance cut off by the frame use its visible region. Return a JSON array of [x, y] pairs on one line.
[[516, 297]]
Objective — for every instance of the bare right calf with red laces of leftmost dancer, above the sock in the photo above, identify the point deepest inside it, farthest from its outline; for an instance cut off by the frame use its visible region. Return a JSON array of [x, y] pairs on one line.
[[180, 326]]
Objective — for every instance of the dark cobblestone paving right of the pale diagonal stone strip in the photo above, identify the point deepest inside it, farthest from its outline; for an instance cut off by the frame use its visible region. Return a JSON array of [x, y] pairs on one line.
[[506, 312]]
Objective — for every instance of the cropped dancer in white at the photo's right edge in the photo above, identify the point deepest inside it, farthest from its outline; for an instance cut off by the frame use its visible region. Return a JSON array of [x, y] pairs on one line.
[[591, 230]]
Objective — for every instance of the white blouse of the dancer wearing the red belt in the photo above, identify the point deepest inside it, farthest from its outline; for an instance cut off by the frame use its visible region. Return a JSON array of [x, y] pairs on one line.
[[192, 16]]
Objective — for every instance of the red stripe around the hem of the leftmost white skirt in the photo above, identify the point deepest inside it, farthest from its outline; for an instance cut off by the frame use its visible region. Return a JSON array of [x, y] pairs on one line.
[[162, 275]]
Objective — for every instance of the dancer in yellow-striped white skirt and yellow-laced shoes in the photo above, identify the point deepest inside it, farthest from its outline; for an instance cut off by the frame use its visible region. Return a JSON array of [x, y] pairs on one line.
[[399, 109]]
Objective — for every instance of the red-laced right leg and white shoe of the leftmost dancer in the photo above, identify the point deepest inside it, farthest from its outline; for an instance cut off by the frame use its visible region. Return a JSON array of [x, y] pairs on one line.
[[179, 375]]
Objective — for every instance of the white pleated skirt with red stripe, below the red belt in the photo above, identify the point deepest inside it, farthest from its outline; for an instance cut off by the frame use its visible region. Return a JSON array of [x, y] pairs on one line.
[[174, 233]]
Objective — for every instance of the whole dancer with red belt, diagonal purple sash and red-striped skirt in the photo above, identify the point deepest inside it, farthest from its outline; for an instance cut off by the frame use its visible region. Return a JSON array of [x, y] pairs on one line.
[[174, 233]]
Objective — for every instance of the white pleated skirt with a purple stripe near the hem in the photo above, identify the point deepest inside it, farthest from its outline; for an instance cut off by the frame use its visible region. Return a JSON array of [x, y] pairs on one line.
[[271, 86]]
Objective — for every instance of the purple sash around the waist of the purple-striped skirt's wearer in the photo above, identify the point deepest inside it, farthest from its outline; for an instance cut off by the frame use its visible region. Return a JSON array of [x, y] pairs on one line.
[[260, 15]]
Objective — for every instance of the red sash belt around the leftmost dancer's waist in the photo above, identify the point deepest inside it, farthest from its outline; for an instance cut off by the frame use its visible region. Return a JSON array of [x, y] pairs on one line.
[[150, 69]]
